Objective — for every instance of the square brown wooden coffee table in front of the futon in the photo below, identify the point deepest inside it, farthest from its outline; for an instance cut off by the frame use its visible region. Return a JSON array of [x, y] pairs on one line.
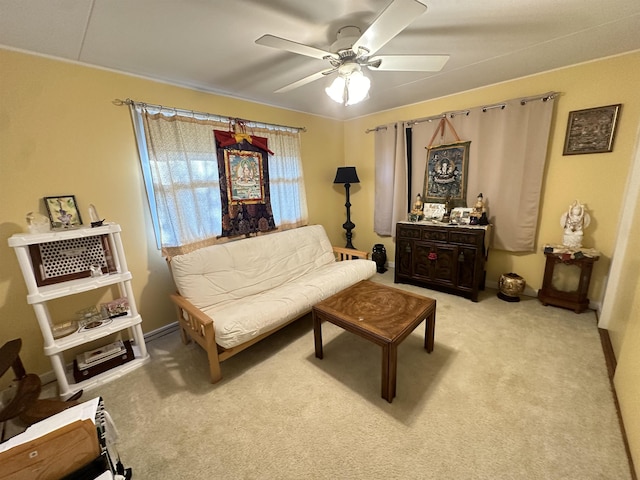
[[381, 314]]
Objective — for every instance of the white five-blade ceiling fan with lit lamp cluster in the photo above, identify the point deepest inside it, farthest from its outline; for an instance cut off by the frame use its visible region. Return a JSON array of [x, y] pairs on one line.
[[354, 50]]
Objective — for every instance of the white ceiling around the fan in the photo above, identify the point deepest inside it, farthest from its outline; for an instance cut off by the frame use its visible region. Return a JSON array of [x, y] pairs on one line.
[[209, 44]]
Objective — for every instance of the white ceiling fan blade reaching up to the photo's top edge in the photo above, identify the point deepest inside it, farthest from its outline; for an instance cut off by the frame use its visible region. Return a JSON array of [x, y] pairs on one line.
[[391, 21]]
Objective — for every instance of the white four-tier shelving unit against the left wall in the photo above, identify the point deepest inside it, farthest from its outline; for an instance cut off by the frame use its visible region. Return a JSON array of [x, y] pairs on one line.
[[117, 273]]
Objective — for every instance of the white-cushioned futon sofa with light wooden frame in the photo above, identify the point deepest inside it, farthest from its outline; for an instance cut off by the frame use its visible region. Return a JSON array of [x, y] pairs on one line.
[[234, 294]]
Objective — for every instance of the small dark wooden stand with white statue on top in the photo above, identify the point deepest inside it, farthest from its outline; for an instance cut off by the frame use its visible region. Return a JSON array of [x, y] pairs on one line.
[[568, 265]]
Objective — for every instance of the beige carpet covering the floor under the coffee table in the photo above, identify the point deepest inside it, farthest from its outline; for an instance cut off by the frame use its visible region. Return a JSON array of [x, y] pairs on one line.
[[511, 391]]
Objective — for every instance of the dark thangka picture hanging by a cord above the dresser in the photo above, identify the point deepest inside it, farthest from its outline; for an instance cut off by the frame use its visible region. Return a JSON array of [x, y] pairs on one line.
[[445, 174]]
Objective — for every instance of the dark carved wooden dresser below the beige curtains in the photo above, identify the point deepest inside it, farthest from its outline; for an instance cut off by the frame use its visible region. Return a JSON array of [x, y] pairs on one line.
[[442, 257]]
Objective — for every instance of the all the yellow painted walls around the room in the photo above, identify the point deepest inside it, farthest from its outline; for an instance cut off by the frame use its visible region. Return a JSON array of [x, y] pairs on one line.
[[61, 134]]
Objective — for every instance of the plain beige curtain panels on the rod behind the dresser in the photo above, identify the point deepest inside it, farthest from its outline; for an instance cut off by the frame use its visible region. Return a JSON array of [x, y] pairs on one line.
[[506, 164]]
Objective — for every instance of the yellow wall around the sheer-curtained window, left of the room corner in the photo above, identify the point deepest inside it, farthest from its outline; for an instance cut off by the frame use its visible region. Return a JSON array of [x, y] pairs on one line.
[[61, 134]]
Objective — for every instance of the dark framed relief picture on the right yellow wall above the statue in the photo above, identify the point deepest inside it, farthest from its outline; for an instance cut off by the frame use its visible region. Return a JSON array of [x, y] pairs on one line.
[[591, 130]]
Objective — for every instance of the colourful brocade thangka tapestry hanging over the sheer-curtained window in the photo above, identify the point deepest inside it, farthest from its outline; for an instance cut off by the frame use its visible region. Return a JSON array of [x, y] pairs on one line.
[[243, 167]]
